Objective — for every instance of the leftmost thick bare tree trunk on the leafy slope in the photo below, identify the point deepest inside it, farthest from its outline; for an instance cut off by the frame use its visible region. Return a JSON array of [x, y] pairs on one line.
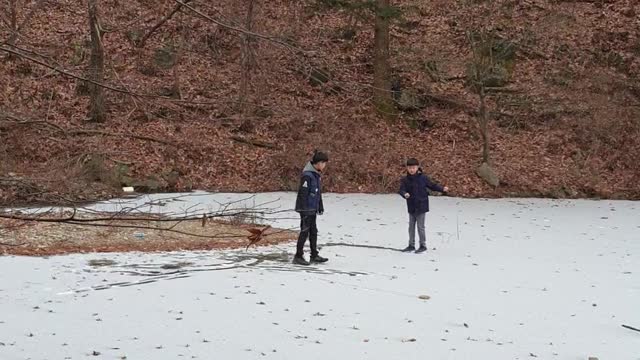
[[96, 66]]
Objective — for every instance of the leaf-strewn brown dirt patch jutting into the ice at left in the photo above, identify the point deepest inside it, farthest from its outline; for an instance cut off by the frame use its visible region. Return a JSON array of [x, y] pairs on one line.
[[43, 239]]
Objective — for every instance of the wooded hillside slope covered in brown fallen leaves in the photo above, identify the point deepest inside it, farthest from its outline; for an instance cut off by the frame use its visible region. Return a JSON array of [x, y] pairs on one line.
[[567, 124]]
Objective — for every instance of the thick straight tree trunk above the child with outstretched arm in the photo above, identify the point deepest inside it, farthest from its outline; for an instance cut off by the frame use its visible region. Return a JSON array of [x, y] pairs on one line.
[[383, 101]]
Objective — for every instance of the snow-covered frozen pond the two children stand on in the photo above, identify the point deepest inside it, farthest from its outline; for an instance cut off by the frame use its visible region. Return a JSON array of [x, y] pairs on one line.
[[508, 279]]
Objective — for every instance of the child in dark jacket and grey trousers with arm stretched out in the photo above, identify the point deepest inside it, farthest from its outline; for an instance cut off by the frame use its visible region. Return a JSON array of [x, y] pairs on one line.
[[414, 188]]
